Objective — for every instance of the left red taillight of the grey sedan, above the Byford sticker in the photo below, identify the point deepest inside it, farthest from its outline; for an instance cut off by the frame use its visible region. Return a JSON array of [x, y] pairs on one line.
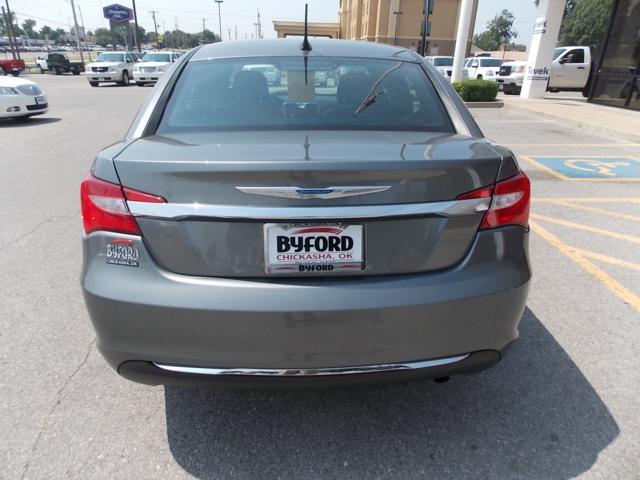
[[104, 206]]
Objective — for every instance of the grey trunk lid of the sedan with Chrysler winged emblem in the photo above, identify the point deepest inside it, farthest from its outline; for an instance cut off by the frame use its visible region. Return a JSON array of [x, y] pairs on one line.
[[226, 190]]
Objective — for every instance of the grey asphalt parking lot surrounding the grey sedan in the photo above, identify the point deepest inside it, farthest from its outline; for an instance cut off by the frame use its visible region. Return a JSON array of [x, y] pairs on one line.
[[563, 404]]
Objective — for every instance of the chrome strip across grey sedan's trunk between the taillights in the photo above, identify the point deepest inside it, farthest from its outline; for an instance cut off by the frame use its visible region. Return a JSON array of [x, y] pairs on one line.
[[176, 211]]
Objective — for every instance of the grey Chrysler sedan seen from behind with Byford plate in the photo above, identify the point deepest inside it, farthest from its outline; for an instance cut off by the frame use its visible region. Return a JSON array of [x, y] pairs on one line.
[[247, 233]]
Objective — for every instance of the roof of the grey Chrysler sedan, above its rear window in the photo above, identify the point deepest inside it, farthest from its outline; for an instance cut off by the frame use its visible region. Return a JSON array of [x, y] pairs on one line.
[[290, 47]]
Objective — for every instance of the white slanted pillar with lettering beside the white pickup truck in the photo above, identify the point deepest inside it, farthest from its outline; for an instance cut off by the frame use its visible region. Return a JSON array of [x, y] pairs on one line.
[[543, 43]]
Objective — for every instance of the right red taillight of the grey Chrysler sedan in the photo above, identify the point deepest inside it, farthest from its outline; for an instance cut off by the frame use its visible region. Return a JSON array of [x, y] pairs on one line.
[[510, 202]]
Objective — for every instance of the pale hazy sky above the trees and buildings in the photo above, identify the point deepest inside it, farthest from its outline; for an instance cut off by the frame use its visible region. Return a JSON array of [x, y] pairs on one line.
[[188, 14]]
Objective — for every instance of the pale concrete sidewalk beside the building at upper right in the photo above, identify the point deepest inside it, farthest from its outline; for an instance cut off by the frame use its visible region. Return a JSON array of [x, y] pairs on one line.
[[618, 122]]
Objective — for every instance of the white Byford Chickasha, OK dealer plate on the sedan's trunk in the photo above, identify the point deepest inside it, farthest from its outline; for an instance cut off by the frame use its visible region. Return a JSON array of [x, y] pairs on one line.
[[313, 248]]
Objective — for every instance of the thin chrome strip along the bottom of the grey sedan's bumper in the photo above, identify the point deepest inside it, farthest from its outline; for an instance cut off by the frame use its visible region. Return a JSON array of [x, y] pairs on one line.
[[312, 372]]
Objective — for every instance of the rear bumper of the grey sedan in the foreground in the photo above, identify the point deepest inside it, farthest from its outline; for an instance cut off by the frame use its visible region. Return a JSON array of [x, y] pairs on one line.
[[144, 315]]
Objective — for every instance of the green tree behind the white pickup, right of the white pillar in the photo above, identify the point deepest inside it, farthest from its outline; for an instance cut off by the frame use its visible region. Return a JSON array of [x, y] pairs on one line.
[[585, 23]]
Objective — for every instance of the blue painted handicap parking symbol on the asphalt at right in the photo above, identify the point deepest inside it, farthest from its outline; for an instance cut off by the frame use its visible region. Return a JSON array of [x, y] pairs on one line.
[[590, 168]]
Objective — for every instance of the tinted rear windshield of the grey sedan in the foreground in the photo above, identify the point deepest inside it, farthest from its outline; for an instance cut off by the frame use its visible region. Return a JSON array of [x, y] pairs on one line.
[[281, 94]]
